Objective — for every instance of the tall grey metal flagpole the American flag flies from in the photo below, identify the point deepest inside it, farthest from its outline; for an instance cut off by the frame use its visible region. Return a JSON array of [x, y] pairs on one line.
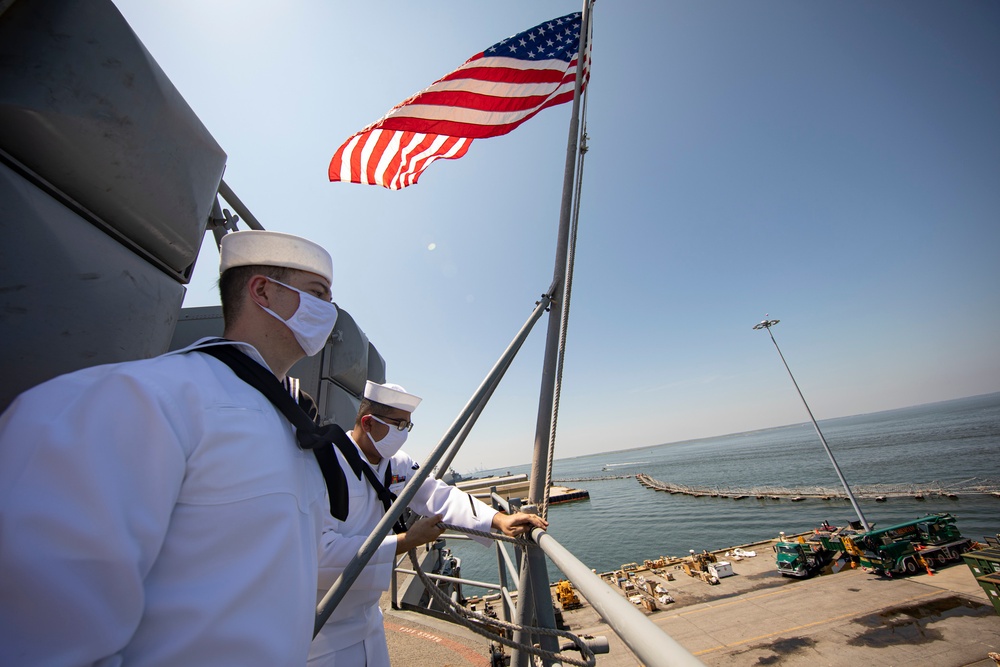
[[534, 575]]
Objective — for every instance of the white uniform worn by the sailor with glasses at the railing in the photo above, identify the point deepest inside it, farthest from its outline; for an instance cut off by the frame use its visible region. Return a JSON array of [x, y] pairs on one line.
[[358, 616]]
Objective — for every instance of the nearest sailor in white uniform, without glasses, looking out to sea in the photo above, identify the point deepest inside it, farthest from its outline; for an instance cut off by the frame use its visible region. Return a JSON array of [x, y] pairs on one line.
[[160, 512]]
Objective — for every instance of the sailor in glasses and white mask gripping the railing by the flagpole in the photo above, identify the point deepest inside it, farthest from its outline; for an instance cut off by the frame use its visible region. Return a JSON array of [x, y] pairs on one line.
[[354, 635]]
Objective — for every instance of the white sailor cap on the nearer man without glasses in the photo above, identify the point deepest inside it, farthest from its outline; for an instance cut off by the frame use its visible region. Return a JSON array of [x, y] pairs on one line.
[[267, 248]]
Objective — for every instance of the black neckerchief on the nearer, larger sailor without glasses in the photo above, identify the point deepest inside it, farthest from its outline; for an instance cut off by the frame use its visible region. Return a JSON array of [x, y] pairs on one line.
[[308, 434]]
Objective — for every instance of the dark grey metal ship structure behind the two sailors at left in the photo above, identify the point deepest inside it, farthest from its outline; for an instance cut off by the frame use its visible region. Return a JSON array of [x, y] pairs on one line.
[[108, 181]]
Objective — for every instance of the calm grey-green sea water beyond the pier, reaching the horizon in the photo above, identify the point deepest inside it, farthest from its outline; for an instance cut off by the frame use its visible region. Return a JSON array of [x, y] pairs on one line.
[[946, 442]]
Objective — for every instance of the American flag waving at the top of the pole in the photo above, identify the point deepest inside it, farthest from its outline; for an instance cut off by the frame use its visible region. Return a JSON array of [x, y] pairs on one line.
[[490, 95]]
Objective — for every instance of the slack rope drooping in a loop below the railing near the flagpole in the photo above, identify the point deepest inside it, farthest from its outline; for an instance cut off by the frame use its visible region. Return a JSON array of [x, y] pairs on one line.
[[480, 623]]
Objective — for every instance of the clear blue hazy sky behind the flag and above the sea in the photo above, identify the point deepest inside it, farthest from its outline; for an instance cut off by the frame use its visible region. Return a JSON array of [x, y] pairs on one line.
[[834, 164]]
